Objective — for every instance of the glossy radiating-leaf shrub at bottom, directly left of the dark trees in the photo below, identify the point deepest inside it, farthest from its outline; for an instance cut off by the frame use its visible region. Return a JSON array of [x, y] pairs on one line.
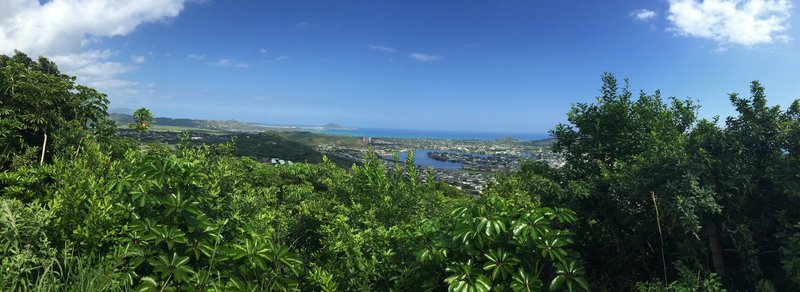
[[482, 236]]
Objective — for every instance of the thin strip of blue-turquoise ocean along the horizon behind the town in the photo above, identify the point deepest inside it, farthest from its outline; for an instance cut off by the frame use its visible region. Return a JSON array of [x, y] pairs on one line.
[[451, 135]]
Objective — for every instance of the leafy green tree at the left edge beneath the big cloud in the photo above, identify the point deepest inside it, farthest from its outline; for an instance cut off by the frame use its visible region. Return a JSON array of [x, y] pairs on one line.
[[42, 108]]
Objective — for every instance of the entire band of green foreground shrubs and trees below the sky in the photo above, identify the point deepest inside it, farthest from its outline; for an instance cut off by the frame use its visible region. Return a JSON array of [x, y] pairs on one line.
[[650, 199]]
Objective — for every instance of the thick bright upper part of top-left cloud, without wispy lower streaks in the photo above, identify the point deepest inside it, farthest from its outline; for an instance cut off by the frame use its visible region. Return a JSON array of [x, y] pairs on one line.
[[64, 26]]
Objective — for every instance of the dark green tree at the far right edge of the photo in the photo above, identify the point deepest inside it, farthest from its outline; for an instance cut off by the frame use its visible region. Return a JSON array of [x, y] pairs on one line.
[[751, 164]]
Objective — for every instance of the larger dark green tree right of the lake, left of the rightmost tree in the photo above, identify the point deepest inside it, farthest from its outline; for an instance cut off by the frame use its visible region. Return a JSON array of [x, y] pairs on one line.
[[625, 157]]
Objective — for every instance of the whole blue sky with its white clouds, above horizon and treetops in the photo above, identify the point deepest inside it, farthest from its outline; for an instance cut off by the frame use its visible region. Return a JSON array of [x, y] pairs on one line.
[[511, 66]]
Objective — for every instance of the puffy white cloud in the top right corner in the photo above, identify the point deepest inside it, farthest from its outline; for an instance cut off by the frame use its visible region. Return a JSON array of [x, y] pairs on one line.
[[744, 22]]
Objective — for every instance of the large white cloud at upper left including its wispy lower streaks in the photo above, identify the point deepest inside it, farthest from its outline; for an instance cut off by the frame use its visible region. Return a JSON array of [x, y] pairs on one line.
[[65, 31]]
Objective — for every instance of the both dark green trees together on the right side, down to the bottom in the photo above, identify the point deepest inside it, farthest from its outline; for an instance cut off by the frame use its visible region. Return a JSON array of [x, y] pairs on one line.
[[727, 196]]
